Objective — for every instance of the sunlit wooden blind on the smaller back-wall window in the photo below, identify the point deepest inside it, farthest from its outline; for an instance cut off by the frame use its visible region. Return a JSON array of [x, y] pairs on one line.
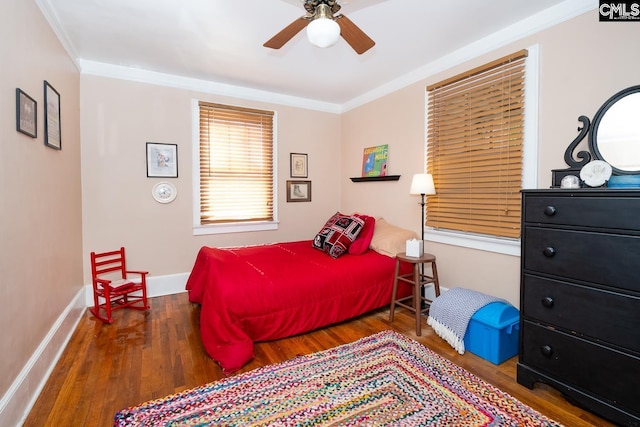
[[236, 164]]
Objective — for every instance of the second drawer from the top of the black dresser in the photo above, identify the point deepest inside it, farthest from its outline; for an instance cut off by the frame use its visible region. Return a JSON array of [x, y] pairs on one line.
[[610, 259]]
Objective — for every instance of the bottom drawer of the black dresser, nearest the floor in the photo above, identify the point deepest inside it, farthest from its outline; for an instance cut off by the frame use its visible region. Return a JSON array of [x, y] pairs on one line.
[[609, 374]]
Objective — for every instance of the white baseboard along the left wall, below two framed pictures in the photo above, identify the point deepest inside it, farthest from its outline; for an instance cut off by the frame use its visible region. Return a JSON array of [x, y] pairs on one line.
[[18, 400]]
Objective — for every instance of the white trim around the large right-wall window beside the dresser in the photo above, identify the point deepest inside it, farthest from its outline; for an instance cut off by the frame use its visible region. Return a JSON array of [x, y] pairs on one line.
[[502, 245]]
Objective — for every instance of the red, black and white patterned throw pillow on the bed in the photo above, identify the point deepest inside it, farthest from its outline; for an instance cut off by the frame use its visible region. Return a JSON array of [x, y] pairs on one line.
[[337, 234]]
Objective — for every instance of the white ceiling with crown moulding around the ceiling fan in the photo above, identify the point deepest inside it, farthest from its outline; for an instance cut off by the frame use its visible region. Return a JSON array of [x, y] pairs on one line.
[[220, 41]]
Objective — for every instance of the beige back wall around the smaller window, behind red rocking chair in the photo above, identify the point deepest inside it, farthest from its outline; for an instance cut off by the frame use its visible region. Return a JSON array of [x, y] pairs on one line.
[[119, 117]]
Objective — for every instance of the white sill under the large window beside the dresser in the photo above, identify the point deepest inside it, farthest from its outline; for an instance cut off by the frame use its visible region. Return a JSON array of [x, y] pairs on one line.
[[484, 243]]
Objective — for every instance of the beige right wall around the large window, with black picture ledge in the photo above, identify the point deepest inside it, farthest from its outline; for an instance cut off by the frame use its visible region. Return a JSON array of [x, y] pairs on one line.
[[582, 63]]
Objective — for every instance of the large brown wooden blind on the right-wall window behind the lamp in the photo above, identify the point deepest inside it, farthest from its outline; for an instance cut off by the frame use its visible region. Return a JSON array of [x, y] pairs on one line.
[[475, 139]]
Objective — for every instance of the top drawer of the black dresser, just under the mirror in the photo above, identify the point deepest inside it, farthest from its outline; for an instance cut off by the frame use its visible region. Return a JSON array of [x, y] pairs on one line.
[[608, 212]]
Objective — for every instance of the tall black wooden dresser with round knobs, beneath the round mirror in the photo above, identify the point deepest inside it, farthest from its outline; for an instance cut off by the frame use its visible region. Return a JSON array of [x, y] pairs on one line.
[[580, 298]]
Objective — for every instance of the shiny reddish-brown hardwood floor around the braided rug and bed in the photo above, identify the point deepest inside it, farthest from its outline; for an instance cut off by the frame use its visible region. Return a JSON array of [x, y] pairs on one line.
[[148, 355]]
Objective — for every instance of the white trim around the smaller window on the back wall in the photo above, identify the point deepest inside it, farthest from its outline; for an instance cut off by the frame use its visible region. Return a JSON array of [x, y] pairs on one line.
[[230, 227]]
